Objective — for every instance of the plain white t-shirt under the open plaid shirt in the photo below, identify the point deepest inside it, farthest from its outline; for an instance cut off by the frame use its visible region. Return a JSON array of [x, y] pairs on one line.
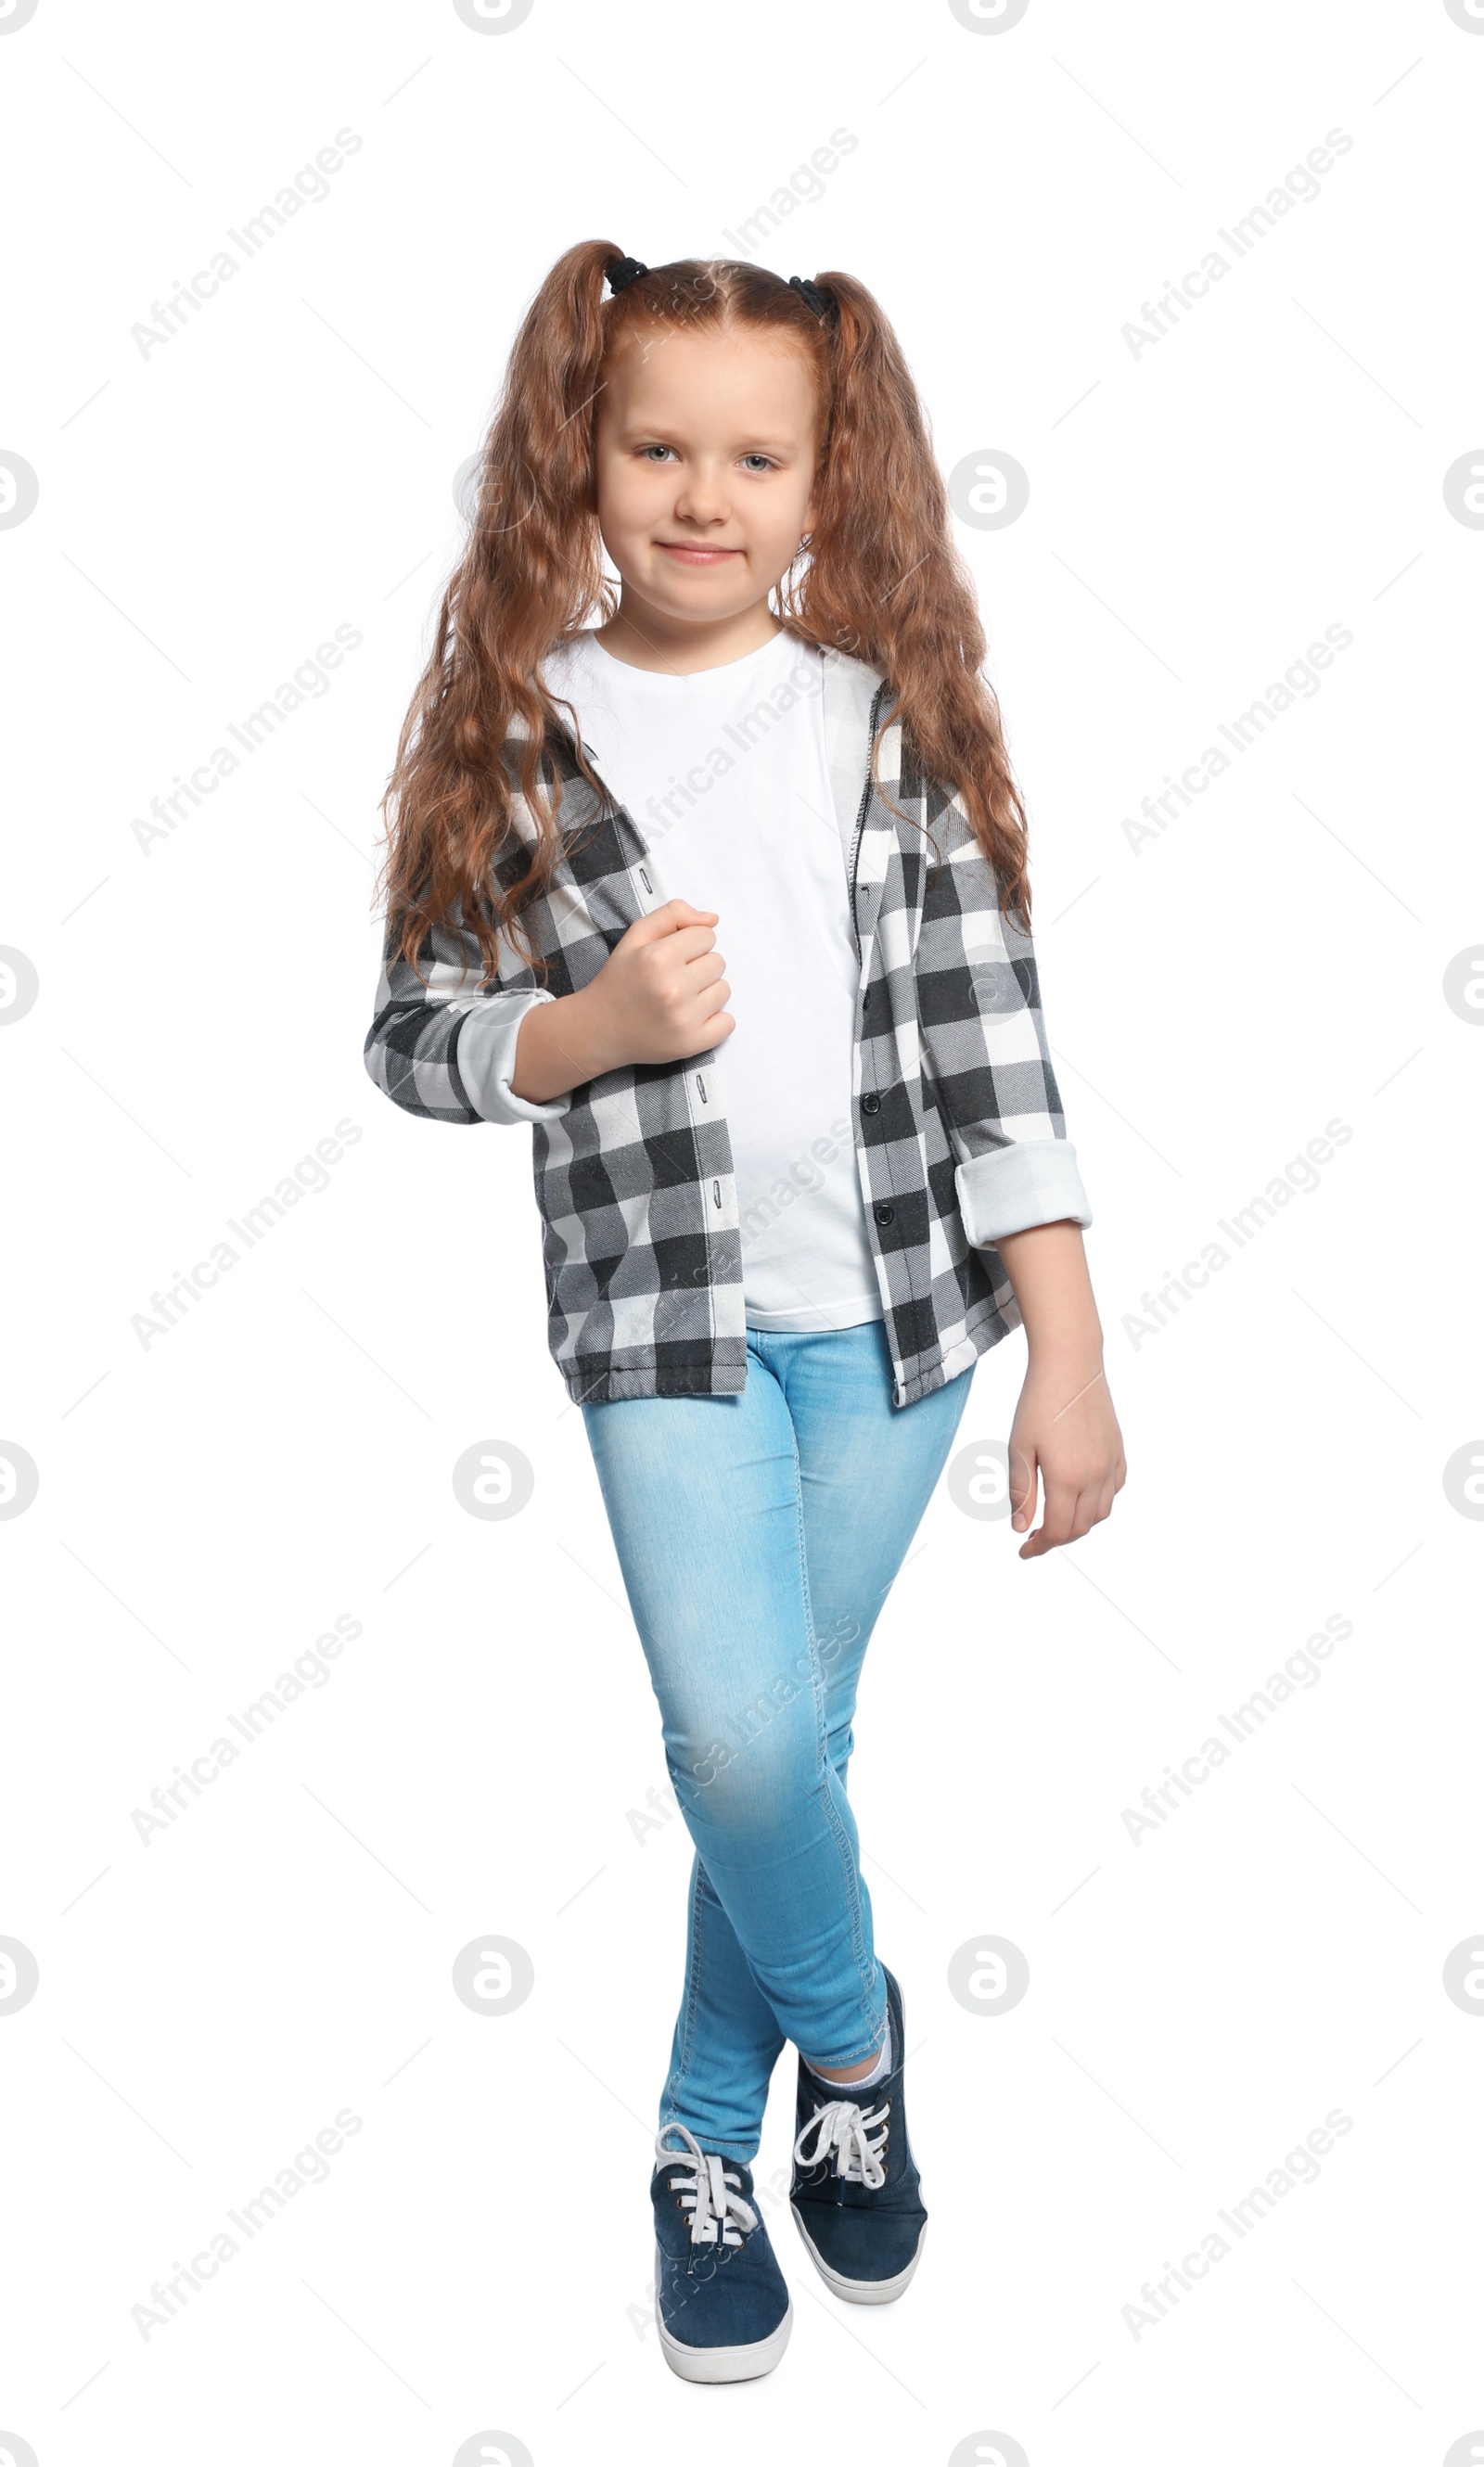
[[726, 778]]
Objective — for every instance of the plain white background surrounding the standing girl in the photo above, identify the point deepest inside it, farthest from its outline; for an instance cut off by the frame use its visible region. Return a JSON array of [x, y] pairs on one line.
[[482, 2254]]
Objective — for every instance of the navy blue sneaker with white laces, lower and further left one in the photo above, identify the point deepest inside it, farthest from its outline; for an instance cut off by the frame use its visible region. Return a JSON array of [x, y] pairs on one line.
[[719, 2293]]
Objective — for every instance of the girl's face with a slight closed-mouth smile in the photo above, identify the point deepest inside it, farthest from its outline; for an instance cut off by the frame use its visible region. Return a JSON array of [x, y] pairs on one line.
[[706, 453]]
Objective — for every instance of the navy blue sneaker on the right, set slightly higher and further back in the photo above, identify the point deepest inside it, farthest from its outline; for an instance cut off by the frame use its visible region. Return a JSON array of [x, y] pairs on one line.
[[857, 2192]]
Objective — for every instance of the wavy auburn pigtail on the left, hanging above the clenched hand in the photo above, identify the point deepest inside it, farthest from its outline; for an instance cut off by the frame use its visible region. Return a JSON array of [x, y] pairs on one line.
[[531, 574]]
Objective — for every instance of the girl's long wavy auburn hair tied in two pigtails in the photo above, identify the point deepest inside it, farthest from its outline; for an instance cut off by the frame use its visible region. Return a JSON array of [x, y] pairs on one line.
[[879, 579]]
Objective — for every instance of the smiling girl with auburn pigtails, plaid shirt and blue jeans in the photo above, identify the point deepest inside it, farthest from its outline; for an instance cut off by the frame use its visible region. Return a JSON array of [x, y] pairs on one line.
[[790, 1195]]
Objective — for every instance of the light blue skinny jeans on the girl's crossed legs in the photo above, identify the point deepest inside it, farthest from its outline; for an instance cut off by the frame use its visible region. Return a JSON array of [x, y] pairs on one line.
[[758, 1538]]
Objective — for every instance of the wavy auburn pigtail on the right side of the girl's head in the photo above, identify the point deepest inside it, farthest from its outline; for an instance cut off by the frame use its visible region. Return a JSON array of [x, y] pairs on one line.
[[886, 581]]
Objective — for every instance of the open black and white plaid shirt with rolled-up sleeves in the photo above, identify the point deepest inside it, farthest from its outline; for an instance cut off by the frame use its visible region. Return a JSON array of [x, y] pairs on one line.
[[958, 1119]]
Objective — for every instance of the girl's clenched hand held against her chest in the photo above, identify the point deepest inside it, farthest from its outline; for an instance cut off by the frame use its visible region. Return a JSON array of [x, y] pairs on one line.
[[662, 991]]
